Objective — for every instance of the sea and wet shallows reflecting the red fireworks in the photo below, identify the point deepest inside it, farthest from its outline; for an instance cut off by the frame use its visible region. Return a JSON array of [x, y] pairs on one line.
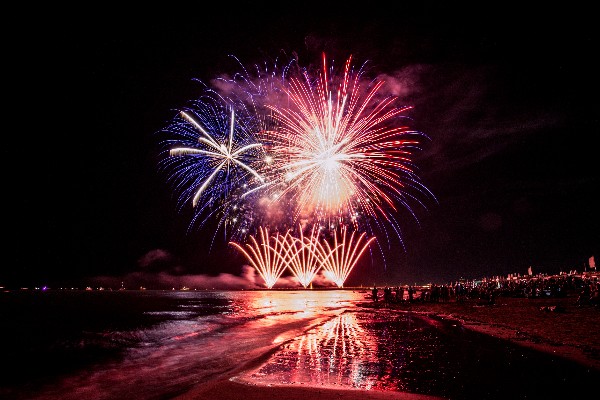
[[148, 344]]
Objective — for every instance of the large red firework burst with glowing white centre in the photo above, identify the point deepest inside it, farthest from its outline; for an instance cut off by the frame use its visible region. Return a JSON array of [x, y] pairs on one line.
[[341, 153]]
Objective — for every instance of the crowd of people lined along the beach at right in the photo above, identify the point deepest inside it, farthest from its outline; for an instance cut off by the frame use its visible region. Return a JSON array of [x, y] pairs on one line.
[[585, 287]]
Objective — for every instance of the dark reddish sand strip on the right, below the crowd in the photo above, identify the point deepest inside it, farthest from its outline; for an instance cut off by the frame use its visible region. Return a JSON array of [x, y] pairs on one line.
[[569, 332]]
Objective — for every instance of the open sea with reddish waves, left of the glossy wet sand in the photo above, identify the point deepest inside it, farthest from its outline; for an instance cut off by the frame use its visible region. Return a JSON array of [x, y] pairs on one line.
[[145, 344]]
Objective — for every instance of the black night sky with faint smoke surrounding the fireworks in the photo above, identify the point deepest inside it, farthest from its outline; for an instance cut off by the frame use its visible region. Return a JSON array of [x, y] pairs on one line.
[[509, 98]]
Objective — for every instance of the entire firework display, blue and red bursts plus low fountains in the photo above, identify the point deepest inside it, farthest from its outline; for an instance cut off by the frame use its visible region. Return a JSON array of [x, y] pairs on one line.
[[292, 147]]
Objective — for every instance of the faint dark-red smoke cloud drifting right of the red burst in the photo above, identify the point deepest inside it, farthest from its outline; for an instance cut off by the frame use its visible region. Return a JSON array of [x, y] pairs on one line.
[[470, 112]]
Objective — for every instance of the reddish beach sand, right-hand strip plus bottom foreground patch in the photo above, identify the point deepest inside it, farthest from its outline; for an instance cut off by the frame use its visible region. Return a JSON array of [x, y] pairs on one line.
[[553, 325]]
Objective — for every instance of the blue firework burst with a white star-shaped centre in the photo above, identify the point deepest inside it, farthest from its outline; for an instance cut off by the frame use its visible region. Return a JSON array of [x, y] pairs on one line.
[[213, 160]]
